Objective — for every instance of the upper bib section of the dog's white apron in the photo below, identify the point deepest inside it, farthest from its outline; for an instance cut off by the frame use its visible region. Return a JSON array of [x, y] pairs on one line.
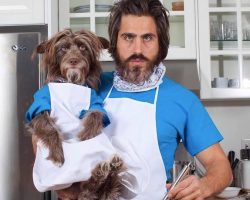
[[67, 101]]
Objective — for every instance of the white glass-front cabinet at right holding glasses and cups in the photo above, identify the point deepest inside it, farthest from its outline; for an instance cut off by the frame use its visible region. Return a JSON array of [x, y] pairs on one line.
[[224, 48]]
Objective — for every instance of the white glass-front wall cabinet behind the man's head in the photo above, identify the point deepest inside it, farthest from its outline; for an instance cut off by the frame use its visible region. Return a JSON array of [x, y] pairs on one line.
[[93, 15]]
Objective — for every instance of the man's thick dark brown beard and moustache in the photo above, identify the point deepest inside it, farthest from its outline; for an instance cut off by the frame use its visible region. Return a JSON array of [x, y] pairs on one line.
[[135, 74]]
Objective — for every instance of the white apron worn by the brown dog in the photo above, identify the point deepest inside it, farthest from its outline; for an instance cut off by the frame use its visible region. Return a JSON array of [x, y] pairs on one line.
[[81, 157]]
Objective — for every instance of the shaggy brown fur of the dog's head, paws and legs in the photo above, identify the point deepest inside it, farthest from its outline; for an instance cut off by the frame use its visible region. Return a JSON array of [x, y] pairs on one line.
[[73, 57]]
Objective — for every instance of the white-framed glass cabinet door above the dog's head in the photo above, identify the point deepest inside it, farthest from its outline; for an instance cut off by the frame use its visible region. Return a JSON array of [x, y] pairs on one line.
[[85, 14]]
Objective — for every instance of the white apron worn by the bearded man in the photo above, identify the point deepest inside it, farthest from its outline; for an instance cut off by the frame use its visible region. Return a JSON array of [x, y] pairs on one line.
[[134, 123]]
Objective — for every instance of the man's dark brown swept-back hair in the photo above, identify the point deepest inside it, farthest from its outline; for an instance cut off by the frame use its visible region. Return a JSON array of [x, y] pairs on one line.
[[153, 8]]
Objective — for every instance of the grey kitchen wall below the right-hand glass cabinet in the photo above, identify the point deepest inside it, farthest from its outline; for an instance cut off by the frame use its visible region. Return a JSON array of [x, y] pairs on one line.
[[232, 118]]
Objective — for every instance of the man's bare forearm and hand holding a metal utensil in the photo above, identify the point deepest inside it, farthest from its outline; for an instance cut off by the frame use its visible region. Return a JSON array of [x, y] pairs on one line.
[[218, 176]]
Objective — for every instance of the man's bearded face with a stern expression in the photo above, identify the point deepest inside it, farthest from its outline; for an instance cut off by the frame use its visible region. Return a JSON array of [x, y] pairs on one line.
[[137, 47]]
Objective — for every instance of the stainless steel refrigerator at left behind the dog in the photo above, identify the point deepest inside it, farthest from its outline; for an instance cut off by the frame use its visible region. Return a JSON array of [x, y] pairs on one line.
[[20, 77]]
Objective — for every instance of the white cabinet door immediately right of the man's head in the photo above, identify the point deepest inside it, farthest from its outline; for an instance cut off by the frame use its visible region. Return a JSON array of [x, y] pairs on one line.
[[182, 29]]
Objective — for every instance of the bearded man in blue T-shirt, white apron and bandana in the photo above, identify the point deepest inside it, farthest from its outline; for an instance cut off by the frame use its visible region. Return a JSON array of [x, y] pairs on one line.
[[152, 112]]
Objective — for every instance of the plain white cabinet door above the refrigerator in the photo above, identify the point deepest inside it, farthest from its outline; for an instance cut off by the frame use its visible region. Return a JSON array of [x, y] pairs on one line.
[[21, 12]]
